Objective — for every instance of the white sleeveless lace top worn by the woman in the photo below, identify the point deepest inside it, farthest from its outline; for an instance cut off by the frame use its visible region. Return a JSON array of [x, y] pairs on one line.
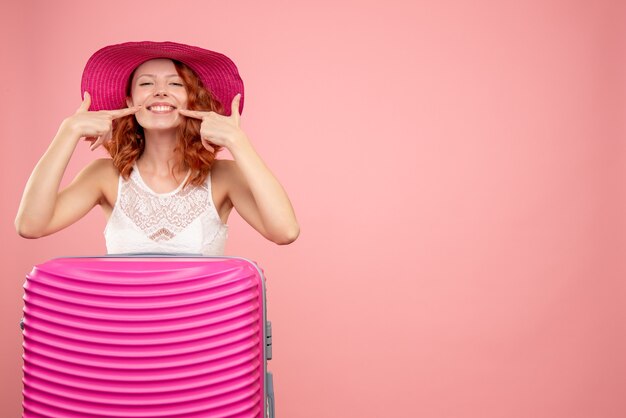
[[180, 221]]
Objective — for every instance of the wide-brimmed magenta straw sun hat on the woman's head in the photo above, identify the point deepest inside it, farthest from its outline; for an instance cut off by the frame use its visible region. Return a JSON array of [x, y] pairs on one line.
[[107, 71]]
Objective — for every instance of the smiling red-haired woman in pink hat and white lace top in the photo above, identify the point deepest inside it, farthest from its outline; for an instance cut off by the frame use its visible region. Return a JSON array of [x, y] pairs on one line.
[[163, 111]]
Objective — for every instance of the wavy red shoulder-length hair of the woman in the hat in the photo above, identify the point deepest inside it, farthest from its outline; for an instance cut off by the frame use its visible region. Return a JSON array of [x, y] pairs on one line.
[[127, 142]]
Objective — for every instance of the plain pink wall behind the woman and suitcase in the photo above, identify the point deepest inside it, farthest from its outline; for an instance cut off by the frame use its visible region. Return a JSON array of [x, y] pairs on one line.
[[457, 168]]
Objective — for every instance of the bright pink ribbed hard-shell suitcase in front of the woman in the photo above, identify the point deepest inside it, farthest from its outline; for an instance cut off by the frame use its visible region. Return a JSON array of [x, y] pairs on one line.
[[146, 336]]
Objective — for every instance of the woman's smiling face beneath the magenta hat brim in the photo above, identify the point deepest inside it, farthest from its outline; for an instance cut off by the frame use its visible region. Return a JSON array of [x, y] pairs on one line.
[[157, 86]]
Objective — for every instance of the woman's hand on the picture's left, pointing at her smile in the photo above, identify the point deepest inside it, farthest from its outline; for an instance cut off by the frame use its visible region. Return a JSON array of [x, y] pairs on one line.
[[95, 127]]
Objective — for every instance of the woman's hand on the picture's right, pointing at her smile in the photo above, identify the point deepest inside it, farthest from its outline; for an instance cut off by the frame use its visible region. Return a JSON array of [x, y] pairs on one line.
[[218, 129]]
